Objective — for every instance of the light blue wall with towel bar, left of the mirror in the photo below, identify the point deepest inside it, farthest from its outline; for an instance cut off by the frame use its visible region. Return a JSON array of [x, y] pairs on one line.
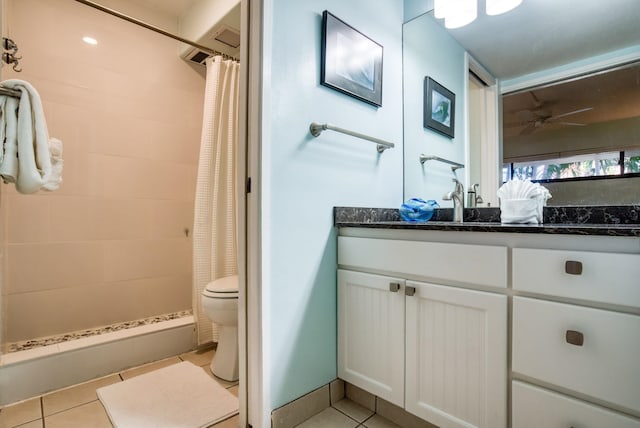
[[305, 177]]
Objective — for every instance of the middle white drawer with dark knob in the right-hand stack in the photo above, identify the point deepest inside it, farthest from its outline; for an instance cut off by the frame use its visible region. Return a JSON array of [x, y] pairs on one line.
[[605, 366]]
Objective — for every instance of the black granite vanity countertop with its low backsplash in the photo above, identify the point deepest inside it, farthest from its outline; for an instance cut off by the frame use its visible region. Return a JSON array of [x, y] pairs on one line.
[[623, 220]]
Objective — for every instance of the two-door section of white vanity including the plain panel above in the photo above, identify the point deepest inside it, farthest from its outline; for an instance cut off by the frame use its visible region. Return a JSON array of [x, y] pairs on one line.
[[423, 332]]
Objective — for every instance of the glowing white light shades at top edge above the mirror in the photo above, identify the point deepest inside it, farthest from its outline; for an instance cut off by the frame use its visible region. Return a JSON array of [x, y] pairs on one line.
[[458, 13]]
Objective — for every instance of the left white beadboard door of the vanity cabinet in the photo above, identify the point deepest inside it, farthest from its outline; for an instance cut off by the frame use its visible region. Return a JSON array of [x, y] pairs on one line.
[[371, 333]]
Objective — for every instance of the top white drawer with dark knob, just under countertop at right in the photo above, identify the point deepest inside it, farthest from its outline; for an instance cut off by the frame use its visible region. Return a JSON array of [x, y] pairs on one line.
[[604, 277]]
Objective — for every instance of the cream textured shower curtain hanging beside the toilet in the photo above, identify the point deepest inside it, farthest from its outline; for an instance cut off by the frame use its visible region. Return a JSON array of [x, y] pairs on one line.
[[214, 229]]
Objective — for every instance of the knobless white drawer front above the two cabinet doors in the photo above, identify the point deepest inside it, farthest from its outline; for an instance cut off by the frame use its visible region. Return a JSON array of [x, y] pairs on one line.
[[449, 263]]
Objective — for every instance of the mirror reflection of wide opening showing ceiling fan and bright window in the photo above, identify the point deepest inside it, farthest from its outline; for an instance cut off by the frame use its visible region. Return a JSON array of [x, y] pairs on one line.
[[582, 129]]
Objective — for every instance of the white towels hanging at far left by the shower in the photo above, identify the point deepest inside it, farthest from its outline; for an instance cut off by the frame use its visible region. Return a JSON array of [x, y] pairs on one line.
[[31, 167]]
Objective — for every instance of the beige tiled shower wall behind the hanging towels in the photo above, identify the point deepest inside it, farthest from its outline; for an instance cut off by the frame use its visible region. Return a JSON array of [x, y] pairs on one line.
[[114, 242]]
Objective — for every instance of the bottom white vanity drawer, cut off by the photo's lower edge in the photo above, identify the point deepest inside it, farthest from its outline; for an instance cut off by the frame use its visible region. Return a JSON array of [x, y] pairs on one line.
[[535, 407]]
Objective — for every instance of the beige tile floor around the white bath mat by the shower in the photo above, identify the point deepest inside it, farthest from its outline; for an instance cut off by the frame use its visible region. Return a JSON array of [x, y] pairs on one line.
[[78, 406]]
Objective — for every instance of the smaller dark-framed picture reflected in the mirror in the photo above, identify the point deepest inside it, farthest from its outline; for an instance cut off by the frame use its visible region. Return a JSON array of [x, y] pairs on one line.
[[439, 107]]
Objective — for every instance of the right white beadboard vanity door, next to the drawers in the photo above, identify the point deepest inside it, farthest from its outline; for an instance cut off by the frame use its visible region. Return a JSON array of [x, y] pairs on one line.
[[456, 356]]
